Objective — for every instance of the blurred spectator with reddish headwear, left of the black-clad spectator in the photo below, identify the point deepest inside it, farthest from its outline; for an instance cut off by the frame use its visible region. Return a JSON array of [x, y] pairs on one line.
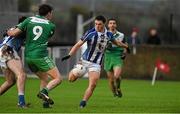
[[134, 39]]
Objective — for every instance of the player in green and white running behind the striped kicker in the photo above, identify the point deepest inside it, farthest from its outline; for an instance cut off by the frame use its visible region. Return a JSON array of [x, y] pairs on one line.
[[114, 59]]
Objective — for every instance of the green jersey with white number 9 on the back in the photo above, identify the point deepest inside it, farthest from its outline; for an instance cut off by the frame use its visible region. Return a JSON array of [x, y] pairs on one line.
[[38, 31]]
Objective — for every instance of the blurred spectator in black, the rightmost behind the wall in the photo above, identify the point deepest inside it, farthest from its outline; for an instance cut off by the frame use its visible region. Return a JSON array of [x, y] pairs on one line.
[[153, 37]]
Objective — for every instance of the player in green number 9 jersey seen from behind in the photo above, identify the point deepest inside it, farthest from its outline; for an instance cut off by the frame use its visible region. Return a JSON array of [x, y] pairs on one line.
[[38, 30]]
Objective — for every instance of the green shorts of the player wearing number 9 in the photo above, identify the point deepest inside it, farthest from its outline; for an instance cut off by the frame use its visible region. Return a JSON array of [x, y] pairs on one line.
[[42, 64]]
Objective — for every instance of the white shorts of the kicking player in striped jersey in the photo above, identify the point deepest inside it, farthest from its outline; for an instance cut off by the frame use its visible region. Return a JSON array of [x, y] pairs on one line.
[[91, 66]]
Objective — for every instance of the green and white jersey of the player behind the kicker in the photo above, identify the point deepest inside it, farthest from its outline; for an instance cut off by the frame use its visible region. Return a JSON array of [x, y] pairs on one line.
[[113, 49]]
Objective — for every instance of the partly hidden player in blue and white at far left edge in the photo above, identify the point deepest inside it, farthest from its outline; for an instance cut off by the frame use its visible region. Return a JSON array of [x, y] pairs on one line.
[[11, 65]]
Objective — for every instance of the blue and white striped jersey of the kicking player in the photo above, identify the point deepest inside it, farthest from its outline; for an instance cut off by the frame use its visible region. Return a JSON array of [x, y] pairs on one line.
[[96, 45]]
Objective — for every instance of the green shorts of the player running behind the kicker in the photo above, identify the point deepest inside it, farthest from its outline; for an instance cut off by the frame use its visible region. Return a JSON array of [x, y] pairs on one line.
[[112, 61]]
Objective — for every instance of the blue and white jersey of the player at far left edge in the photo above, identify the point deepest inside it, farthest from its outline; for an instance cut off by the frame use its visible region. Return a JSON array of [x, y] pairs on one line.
[[15, 43]]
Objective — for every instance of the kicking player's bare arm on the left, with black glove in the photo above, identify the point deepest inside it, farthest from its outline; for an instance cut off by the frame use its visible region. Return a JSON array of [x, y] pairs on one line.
[[73, 50]]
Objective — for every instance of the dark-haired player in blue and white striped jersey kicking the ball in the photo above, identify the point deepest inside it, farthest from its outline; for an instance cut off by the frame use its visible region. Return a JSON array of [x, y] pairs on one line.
[[97, 40]]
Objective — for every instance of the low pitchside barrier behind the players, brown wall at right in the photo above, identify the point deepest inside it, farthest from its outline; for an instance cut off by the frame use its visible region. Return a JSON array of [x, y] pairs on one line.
[[138, 66]]
